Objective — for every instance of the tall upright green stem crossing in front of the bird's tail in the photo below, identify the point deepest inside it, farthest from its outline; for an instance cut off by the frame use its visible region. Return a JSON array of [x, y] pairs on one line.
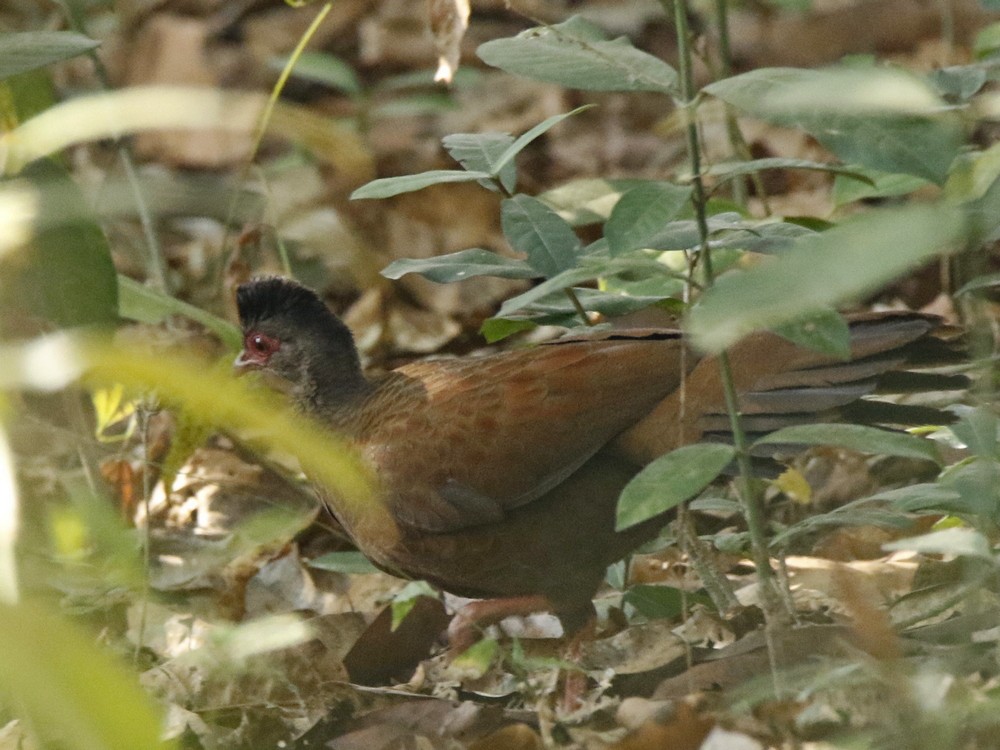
[[750, 496]]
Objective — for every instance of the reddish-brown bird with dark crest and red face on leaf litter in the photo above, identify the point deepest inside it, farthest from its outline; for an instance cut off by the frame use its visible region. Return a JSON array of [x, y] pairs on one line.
[[502, 472]]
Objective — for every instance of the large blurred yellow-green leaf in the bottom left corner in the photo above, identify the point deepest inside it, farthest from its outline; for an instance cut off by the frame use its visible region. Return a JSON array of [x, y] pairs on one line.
[[68, 687]]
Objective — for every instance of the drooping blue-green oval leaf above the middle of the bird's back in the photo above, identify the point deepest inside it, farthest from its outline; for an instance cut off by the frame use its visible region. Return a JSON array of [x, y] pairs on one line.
[[536, 230]]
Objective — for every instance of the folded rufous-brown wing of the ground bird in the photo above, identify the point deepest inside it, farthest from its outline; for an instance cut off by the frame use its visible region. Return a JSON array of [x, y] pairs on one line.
[[458, 443]]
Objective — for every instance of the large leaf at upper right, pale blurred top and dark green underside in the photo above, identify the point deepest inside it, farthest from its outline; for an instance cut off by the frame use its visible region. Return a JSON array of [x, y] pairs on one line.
[[880, 117]]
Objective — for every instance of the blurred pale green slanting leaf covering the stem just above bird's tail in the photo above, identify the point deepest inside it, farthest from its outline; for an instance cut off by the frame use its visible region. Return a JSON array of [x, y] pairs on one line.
[[823, 270]]
